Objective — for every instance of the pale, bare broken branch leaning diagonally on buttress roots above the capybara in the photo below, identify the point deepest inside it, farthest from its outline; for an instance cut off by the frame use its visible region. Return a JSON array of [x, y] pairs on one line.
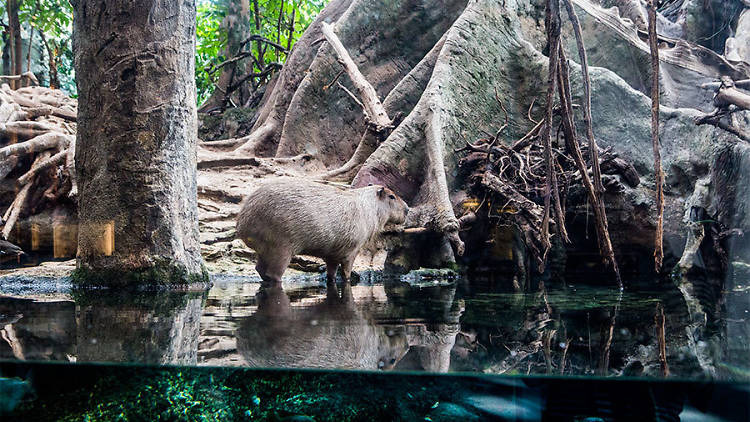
[[375, 113]]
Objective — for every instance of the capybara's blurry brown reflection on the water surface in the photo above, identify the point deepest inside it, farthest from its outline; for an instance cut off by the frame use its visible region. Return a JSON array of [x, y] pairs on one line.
[[330, 334]]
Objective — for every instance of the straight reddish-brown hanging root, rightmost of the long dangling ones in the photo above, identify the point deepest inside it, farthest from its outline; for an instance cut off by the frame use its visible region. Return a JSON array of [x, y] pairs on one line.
[[658, 173]]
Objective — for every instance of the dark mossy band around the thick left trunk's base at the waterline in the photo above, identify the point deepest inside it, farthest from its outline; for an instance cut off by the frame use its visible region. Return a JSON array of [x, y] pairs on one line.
[[163, 272]]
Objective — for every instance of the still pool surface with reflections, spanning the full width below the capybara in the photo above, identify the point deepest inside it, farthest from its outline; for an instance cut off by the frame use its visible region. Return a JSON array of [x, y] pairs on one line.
[[407, 323]]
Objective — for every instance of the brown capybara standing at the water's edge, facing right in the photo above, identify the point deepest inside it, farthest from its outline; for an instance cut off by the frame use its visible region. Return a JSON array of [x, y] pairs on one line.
[[287, 216]]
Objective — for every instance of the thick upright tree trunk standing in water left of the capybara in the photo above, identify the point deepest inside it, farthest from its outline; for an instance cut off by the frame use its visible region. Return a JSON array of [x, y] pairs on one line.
[[135, 150]]
